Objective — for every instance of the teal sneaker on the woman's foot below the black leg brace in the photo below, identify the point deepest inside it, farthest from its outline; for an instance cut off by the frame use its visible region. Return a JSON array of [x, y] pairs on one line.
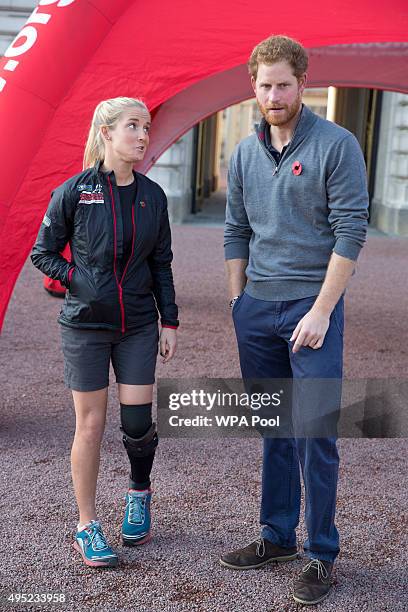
[[136, 524]]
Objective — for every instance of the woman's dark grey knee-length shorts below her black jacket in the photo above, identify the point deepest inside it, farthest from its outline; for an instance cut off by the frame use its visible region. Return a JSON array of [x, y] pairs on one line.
[[88, 352]]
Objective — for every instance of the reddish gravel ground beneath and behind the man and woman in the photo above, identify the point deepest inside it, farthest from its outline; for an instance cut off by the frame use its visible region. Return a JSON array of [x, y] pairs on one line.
[[206, 492]]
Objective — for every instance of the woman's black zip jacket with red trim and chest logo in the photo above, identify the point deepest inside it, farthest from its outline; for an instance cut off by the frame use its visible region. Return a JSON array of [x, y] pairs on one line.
[[103, 291]]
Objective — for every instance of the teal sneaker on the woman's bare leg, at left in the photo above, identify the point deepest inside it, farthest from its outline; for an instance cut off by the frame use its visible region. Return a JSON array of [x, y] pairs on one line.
[[93, 547]]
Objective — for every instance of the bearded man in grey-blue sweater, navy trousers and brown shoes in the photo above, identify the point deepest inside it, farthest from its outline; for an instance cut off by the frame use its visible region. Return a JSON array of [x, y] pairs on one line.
[[296, 220]]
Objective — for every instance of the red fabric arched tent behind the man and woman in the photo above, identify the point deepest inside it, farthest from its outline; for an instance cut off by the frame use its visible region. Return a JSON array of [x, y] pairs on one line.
[[186, 60]]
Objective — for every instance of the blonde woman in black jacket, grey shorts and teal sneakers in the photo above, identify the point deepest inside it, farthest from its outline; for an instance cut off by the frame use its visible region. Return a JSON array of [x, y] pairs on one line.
[[116, 223]]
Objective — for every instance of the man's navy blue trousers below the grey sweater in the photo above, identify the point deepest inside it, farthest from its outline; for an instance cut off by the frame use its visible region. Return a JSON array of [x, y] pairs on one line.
[[263, 329]]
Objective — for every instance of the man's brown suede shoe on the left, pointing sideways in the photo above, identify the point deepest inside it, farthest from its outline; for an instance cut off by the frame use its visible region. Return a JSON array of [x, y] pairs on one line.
[[257, 554]]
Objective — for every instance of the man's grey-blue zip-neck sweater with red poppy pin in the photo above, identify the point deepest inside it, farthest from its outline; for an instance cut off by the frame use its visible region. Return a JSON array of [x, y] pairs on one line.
[[288, 224]]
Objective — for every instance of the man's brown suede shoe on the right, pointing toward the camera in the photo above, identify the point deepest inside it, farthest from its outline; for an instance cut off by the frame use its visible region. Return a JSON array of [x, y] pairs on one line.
[[313, 585]]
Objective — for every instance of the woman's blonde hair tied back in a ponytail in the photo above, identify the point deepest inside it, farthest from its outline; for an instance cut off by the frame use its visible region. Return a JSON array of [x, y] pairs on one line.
[[106, 113]]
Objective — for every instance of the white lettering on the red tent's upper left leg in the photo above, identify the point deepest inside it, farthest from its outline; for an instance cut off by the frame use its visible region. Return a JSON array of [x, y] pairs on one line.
[[27, 37]]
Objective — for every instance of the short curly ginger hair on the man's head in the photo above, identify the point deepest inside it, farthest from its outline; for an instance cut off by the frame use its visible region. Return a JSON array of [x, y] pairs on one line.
[[277, 49]]
